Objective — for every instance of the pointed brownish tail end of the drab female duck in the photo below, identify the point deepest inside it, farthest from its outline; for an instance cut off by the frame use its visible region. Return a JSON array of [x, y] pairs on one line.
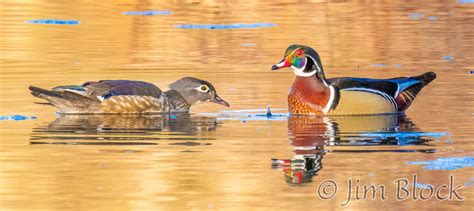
[[67, 102]]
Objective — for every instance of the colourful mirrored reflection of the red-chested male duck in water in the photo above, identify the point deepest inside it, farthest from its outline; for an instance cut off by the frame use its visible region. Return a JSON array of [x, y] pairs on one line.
[[310, 134]]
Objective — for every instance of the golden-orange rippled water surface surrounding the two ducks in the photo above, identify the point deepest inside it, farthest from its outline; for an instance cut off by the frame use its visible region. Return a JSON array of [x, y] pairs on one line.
[[194, 161]]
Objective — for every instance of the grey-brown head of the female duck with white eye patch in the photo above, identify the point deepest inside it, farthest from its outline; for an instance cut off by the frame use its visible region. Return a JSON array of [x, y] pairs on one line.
[[195, 90]]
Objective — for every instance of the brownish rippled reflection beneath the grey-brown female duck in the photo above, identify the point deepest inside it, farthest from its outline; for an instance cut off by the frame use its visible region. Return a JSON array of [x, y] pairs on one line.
[[126, 129]]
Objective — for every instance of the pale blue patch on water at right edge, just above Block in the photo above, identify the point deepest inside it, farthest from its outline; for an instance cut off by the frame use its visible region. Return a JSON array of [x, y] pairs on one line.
[[448, 163]]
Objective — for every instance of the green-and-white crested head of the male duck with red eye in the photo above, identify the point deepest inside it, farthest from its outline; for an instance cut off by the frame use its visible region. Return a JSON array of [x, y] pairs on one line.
[[304, 61]]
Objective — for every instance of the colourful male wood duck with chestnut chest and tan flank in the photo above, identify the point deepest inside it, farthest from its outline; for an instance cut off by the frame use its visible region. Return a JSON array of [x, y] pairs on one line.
[[312, 93]]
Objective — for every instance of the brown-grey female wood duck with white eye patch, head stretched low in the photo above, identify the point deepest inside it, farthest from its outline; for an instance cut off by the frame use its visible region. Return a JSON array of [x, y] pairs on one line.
[[124, 96]]
